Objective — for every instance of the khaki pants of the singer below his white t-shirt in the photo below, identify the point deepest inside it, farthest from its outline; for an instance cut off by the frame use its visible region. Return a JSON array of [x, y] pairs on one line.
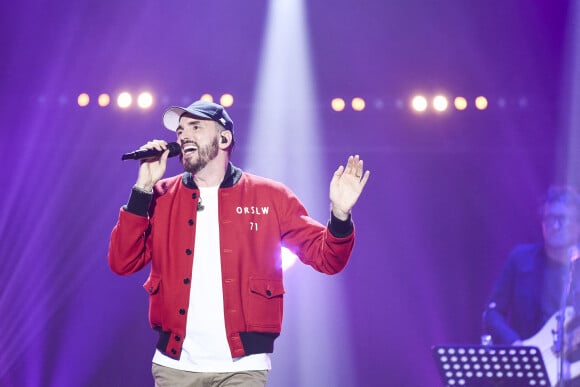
[[169, 377]]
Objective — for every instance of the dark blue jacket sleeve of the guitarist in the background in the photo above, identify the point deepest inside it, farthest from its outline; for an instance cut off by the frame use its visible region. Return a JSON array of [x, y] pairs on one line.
[[496, 313]]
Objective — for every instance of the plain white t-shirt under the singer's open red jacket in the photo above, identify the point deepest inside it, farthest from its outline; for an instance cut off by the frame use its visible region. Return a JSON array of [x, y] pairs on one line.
[[205, 347]]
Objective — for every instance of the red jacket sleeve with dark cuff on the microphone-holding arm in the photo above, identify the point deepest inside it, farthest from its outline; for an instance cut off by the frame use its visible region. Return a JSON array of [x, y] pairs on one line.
[[129, 246]]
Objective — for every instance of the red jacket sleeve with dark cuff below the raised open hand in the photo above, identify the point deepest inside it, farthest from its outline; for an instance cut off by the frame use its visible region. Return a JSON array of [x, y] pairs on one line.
[[326, 248]]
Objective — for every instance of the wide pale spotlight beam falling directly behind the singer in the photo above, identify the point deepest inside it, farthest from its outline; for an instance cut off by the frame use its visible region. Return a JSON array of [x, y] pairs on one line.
[[285, 145]]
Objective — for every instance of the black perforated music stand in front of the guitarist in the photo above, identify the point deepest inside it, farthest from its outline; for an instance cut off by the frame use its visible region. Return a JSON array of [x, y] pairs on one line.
[[487, 366]]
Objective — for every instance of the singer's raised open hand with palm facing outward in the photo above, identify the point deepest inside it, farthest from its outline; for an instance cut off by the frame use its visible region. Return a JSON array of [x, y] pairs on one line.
[[346, 186]]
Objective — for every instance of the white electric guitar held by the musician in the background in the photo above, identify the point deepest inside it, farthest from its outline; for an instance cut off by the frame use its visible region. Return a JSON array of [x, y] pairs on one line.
[[544, 340]]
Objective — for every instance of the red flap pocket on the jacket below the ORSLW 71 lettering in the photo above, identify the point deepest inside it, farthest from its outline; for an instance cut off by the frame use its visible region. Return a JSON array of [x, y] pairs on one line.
[[265, 304]]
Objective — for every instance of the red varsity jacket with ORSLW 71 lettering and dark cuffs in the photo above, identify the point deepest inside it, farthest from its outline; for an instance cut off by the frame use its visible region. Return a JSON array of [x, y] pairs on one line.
[[256, 216]]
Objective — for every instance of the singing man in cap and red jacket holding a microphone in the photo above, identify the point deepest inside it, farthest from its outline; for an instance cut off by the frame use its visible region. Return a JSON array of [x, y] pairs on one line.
[[213, 236]]
